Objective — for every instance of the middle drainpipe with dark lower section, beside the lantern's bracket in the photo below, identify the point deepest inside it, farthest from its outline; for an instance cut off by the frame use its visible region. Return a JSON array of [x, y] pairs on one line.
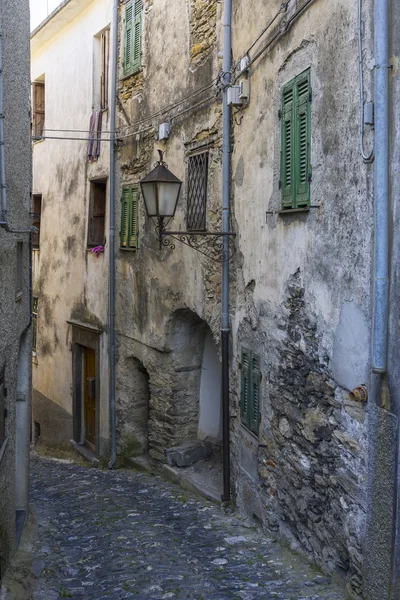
[[226, 190]]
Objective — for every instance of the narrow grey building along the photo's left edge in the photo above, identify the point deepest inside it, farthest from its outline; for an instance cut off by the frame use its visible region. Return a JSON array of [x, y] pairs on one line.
[[15, 306]]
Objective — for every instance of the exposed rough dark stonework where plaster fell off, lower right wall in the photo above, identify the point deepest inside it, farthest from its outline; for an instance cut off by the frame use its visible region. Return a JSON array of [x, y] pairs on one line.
[[311, 459]]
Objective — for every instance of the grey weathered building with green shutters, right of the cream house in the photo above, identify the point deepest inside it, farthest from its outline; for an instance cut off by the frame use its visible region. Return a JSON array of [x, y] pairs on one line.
[[301, 304]]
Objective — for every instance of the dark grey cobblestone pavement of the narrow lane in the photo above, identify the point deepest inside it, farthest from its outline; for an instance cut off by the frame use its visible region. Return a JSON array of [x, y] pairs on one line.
[[121, 534]]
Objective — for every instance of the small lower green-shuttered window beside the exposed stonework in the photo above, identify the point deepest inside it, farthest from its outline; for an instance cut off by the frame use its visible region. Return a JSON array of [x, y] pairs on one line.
[[250, 390]]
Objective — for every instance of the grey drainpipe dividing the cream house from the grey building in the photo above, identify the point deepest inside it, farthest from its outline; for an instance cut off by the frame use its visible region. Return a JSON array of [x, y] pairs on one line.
[[111, 237]]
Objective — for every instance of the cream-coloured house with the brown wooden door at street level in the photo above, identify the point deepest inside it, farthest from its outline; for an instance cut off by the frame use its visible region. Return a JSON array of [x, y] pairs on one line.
[[70, 95]]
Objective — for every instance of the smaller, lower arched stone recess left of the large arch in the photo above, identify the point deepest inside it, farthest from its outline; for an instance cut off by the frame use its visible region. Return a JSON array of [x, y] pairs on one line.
[[133, 407]]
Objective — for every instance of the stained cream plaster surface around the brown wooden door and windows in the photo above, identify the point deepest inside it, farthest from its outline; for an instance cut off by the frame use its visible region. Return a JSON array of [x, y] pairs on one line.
[[70, 282]]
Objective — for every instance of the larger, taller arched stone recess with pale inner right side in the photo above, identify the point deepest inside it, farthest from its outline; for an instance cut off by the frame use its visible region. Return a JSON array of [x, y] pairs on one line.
[[181, 385]]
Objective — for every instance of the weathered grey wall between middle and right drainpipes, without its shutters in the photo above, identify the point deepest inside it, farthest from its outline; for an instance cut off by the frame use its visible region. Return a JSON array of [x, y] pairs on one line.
[[303, 295]]
